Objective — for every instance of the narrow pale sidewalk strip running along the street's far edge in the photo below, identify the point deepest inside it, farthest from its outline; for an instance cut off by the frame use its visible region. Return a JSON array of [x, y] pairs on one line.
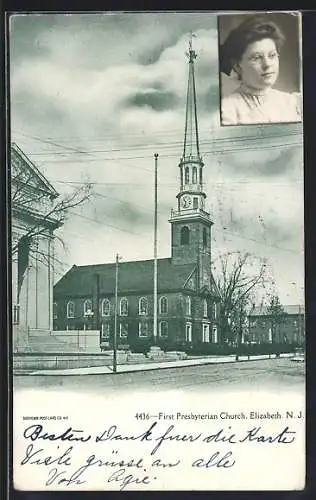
[[107, 370]]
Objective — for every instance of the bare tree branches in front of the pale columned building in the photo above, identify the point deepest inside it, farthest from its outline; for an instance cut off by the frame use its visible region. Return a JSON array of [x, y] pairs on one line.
[[41, 211]]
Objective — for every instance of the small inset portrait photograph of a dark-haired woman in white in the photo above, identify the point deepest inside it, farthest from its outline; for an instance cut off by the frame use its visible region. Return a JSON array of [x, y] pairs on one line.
[[260, 68]]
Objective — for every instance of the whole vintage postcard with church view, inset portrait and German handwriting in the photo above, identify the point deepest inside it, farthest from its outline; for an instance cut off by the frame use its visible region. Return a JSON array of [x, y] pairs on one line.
[[157, 213]]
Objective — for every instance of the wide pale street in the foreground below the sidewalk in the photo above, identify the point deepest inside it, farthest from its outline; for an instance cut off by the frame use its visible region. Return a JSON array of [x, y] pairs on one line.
[[272, 374]]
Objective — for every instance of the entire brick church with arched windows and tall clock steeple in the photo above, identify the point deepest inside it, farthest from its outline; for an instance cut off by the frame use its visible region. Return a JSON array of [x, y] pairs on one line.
[[188, 302]]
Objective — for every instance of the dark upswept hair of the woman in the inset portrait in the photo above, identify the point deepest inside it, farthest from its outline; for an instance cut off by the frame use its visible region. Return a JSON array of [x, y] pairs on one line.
[[251, 30]]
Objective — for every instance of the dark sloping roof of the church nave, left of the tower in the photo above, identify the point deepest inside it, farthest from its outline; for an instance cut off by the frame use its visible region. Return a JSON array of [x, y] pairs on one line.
[[133, 277]]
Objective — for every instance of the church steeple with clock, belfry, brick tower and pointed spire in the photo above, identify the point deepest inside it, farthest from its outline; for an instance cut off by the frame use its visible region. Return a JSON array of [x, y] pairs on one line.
[[190, 223]]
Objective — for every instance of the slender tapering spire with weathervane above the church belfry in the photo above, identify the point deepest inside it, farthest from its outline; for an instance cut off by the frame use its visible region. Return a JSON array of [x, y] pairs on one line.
[[191, 148]]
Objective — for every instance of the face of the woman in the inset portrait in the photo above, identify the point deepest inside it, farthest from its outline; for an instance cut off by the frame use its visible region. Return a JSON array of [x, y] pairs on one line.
[[259, 65]]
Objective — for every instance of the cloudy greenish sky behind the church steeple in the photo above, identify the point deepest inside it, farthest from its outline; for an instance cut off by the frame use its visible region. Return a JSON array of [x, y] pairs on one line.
[[94, 96]]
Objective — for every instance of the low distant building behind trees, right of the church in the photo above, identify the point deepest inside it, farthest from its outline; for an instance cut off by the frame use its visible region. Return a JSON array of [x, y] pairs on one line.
[[287, 328]]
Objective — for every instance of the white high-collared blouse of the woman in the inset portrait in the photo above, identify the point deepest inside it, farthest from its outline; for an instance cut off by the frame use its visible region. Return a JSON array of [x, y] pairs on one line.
[[272, 107]]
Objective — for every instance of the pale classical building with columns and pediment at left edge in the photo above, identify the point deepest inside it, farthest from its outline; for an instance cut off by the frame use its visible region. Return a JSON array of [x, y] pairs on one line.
[[33, 226]]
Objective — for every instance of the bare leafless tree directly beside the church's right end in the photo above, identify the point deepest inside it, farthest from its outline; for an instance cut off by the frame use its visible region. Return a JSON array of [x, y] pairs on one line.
[[239, 276]]
